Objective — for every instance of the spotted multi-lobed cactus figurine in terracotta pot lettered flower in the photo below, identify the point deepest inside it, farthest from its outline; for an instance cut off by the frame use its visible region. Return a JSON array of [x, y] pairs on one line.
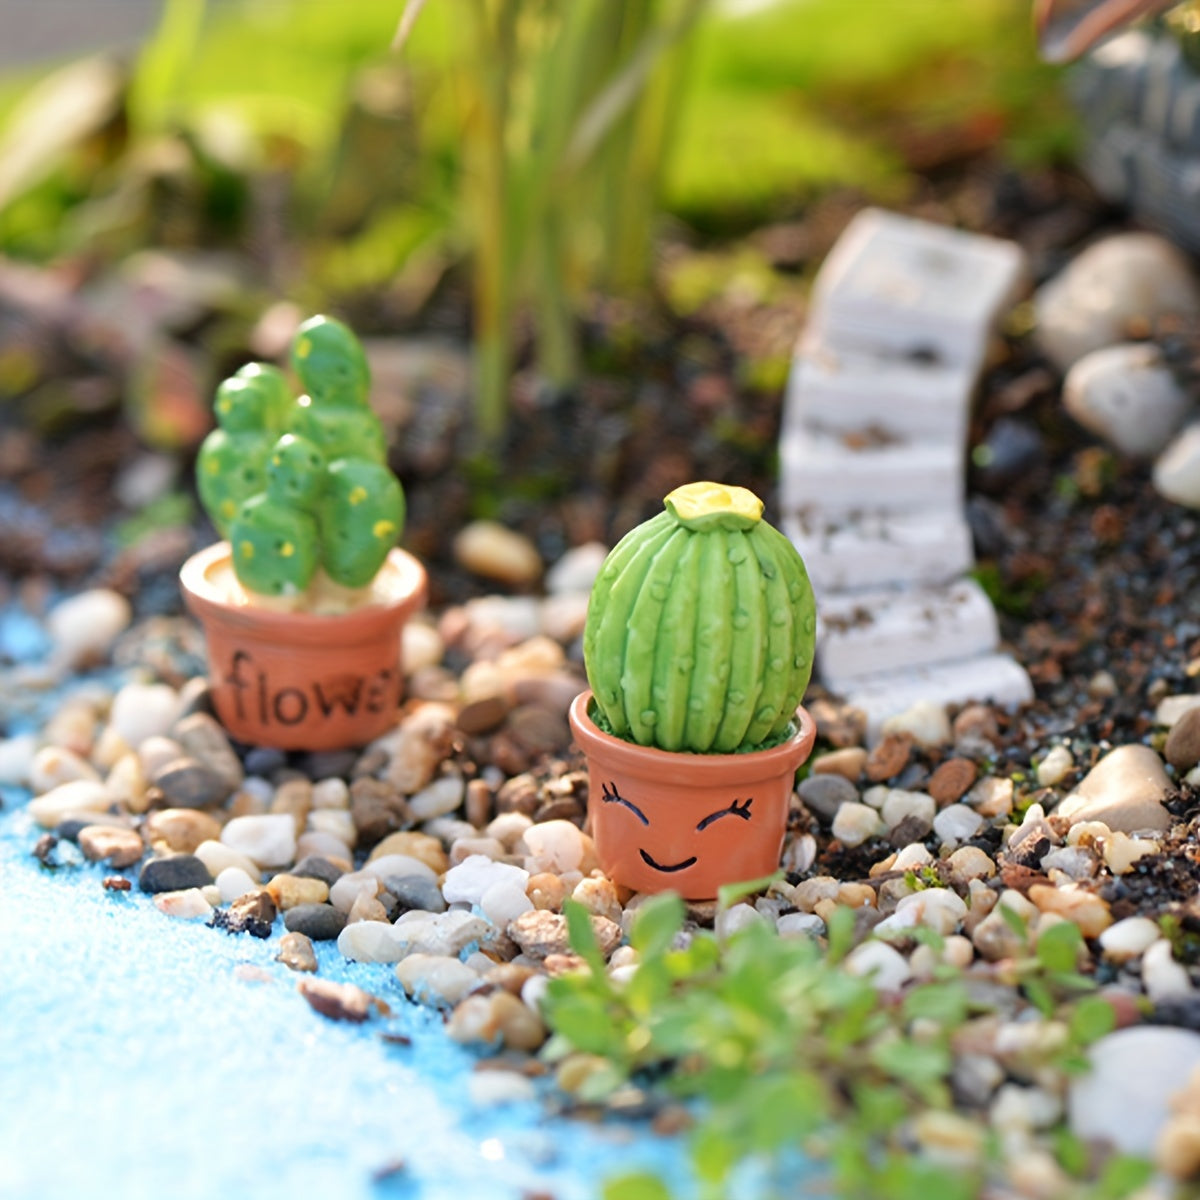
[[304, 602]]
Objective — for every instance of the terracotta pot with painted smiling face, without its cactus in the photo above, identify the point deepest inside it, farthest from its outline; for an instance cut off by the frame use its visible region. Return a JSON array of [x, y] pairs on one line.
[[687, 823]]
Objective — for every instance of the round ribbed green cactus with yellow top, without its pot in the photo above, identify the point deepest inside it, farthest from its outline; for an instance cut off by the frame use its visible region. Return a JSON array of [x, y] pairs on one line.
[[701, 627]]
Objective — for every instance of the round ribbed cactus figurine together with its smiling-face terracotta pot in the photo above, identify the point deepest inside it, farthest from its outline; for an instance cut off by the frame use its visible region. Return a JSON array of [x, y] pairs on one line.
[[699, 646]]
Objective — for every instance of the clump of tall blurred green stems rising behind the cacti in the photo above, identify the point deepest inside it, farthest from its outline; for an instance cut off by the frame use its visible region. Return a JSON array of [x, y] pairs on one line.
[[567, 110]]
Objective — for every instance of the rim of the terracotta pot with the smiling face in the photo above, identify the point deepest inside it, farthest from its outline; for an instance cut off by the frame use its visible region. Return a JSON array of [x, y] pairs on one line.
[[687, 766]]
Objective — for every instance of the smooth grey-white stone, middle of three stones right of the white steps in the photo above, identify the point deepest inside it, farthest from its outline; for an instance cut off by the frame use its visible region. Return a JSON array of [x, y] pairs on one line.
[[1127, 395]]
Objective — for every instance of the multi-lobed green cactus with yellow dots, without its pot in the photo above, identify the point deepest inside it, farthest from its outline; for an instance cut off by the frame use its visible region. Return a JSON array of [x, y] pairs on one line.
[[299, 485]]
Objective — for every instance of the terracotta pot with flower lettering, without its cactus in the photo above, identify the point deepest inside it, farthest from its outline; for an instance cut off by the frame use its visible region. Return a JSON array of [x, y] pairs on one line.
[[299, 681]]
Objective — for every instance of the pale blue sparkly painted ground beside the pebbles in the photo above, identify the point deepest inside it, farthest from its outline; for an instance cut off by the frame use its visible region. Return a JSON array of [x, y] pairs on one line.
[[136, 1060]]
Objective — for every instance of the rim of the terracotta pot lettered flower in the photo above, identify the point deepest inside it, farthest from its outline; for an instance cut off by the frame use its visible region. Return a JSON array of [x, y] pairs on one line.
[[205, 598]]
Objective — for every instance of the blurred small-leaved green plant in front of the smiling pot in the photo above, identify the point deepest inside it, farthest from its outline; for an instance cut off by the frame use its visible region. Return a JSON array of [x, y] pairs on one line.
[[788, 1053]]
